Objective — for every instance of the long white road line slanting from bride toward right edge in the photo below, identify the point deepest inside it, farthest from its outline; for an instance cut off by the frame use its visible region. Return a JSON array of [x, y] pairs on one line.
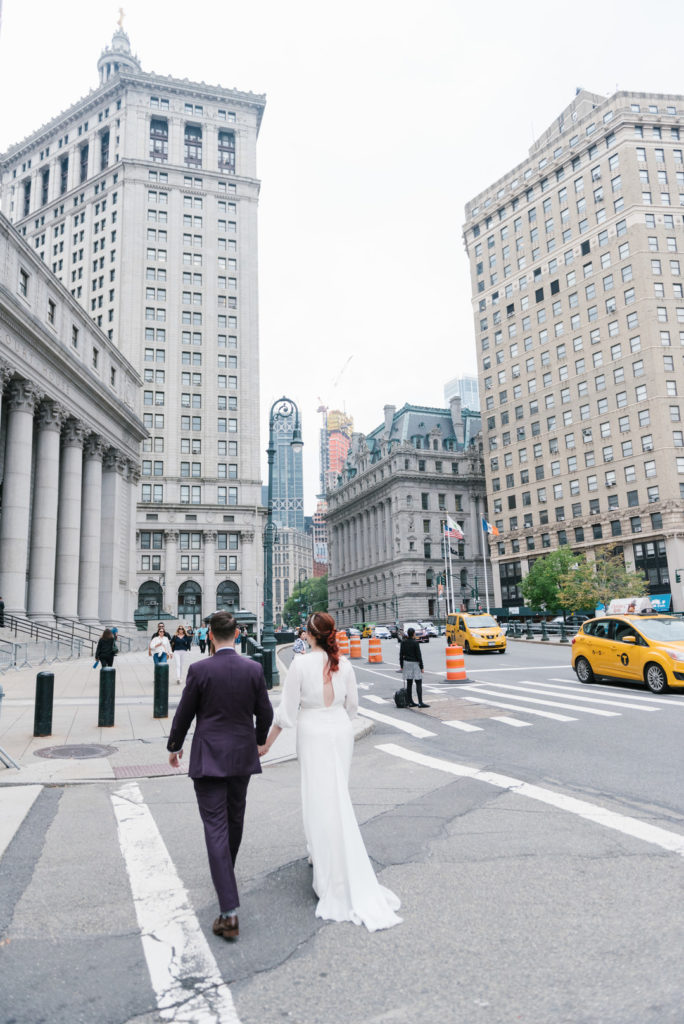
[[673, 842]]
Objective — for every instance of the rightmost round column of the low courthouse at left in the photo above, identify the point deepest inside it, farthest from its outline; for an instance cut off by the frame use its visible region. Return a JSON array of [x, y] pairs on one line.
[[113, 538]]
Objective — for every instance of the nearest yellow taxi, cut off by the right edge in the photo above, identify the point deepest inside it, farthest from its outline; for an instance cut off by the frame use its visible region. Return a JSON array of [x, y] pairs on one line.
[[646, 649]]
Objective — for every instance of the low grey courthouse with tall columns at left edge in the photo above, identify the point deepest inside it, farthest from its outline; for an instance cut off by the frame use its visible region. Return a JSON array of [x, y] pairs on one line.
[[70, 438]]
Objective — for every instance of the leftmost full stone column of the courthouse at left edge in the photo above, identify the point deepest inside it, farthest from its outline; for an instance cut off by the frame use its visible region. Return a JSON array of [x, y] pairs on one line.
[[16, 520]]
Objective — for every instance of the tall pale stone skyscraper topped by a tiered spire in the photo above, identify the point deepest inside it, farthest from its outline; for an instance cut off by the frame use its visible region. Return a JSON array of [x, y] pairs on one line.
[[142, 199]]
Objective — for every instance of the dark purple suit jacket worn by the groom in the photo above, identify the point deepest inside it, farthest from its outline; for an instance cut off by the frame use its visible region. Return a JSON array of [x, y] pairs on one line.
[[225, 694]]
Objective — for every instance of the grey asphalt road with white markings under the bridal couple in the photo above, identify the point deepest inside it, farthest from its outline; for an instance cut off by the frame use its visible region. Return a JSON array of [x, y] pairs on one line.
[[540, 862]]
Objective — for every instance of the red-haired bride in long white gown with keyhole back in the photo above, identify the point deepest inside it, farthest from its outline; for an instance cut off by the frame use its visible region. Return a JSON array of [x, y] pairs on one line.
[[320, 698]]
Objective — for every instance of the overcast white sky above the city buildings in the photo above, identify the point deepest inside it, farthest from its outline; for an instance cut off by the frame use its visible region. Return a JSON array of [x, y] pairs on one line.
[[383, 119]]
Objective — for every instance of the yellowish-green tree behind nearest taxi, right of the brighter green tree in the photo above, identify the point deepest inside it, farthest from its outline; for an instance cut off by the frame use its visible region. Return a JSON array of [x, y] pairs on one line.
[[591, 584]]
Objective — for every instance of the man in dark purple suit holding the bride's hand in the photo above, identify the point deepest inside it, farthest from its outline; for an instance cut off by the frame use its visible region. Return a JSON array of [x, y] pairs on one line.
[[225, 695]]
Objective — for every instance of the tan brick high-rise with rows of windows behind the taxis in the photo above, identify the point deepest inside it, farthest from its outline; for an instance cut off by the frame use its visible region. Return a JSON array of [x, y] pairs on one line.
[[577, 260]]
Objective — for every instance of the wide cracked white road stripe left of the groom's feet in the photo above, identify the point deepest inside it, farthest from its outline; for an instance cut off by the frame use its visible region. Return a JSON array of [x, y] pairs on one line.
[[185, 975]]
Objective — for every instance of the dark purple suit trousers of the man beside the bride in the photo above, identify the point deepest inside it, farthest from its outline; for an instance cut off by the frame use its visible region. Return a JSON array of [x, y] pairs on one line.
[[222, 803]]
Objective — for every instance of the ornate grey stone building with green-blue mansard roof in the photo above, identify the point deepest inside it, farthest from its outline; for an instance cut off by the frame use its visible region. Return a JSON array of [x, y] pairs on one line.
[[387, 518]]
